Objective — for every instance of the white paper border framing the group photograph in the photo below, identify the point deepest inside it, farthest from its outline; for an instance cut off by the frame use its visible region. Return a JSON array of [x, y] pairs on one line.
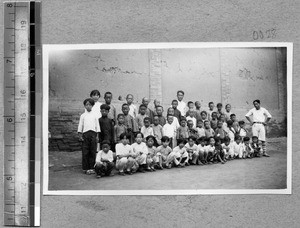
[[47, 48]]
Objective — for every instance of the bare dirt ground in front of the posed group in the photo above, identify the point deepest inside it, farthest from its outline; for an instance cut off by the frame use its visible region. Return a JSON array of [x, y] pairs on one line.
[[258, 173]]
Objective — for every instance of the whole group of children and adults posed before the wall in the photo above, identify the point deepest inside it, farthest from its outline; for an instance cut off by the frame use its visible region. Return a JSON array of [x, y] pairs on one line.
[[141, 139]]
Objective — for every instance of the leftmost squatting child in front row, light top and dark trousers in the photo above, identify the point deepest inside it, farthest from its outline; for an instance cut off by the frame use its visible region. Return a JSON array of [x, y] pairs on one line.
[[104, 160]]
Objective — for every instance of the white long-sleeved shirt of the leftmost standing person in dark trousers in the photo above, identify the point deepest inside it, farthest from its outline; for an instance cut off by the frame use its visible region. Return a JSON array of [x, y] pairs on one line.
[[88, 122]]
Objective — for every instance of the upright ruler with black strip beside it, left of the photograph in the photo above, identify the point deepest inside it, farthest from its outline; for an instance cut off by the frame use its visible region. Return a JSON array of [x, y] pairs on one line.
[[22, 113]]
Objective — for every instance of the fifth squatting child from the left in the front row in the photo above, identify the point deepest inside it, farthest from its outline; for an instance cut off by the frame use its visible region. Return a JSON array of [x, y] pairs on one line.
[[163, 153]]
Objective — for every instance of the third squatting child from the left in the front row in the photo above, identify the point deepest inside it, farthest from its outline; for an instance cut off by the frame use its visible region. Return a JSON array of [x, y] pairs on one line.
[[140, 151]]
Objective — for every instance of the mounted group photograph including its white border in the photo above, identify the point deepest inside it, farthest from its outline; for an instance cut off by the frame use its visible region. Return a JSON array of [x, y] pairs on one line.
[[167, 118]]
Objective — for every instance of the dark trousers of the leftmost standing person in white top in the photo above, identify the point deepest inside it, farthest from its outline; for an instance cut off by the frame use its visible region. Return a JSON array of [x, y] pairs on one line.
[[89, 148]]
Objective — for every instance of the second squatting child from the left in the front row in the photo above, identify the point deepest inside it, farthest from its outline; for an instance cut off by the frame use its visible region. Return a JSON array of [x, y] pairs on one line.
[[125, 156]]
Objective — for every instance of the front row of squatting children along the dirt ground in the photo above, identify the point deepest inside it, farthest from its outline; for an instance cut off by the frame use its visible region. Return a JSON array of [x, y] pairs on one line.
[[144, 156]]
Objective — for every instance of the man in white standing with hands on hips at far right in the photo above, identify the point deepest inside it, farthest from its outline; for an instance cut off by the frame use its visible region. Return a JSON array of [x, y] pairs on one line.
[[260, 118]]
